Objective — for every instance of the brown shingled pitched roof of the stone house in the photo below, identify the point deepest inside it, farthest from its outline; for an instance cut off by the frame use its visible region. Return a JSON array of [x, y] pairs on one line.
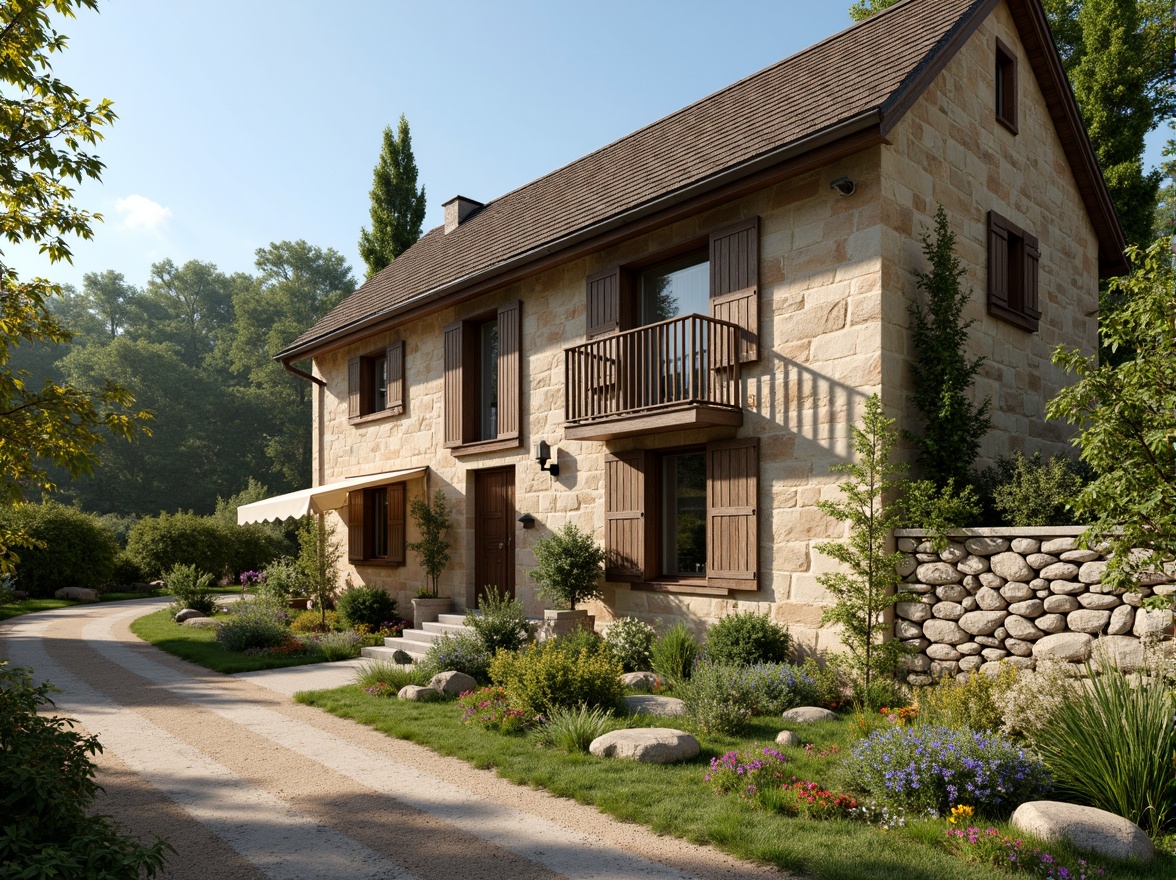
[[864, 77]]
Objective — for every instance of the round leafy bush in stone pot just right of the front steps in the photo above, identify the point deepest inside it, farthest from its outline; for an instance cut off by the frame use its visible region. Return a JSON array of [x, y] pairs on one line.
[[569, 569]]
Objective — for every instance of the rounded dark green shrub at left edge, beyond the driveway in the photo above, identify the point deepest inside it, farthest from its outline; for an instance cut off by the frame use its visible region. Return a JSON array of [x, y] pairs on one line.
[[76, 551]]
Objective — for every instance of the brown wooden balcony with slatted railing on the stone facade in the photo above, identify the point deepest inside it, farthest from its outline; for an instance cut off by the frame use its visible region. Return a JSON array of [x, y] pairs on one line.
[[671, 376]]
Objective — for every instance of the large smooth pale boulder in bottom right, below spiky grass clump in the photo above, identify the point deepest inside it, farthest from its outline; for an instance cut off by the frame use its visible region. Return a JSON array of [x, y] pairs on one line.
[[1085, 828]]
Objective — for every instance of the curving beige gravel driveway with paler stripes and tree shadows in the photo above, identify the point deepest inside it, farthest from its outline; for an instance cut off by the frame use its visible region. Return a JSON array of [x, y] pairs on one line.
[[246, 784]]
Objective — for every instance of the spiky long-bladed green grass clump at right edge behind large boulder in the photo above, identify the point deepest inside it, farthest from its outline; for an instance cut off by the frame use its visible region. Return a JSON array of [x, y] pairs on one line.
[[1113, 745]]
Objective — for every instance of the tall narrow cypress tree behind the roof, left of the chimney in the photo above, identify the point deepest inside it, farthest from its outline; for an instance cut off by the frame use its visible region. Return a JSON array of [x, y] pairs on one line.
[[398, 206]]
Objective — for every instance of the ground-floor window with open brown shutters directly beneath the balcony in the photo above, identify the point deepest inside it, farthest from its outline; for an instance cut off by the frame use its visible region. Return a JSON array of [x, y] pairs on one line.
[[684, 518]]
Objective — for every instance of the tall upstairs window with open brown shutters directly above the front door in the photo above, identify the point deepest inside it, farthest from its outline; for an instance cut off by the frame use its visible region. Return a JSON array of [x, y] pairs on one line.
[[483, 382]]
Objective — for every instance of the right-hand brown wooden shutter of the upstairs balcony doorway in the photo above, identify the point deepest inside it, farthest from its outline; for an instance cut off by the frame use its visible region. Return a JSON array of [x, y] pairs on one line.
[[736, 283]]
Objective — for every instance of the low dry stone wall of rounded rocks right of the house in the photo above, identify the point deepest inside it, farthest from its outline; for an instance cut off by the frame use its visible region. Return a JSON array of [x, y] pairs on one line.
[[1015, 597]]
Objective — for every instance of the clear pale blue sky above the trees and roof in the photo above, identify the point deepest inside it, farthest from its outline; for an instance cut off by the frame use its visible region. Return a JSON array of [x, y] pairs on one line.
[[250, 122]]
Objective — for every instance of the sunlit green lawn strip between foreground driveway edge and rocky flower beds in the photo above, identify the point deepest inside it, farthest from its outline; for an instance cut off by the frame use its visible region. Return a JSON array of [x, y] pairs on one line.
[[678, 802]]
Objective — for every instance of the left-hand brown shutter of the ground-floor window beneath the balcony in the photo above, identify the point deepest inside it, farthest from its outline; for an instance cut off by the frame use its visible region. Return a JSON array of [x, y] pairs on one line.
[[625, 524]]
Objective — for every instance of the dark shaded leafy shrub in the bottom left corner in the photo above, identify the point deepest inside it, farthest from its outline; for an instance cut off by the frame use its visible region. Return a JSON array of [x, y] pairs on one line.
[[48, 781]]
